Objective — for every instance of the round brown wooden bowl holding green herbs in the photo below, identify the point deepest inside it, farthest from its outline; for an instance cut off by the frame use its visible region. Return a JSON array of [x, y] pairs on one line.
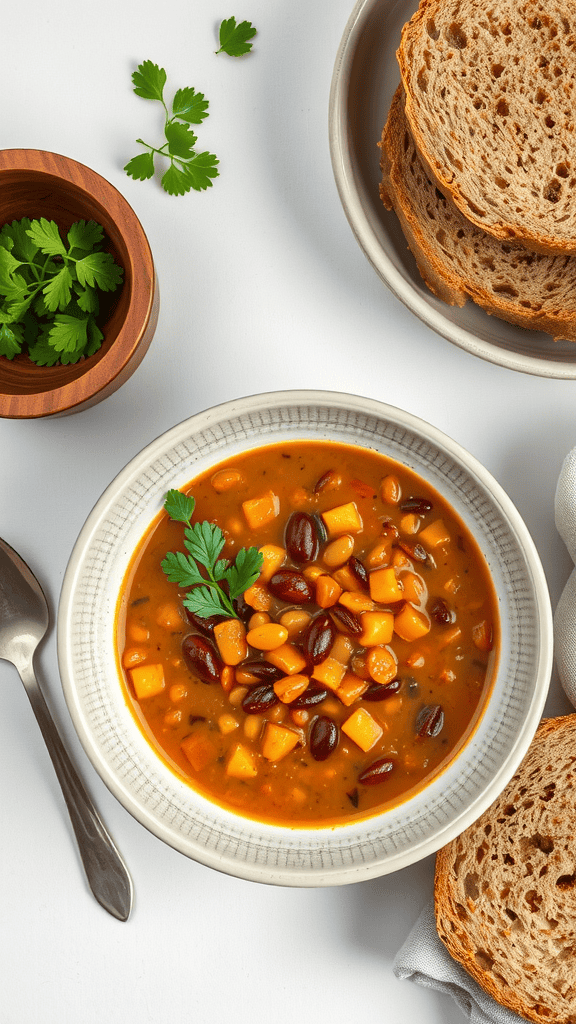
[[37, 185]]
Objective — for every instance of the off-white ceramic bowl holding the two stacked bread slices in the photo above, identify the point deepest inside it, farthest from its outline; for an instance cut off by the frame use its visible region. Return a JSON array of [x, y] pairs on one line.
[[366, 75]]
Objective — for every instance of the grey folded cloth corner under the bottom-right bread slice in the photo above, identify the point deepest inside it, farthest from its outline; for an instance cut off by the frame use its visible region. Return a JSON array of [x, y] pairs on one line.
[[426, 960]]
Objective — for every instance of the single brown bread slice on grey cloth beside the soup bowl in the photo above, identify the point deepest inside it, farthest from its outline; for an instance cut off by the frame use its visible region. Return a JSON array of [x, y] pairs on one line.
[[506, 889]]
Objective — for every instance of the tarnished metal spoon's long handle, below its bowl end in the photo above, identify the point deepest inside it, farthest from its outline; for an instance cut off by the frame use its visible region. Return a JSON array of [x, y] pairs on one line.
[[107, 874]]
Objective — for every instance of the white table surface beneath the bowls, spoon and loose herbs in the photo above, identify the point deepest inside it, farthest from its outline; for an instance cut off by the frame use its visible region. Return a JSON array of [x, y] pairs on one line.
[[263, 288]]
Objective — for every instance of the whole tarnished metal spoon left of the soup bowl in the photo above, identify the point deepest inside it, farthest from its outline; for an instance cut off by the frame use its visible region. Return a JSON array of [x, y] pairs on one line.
[[24, 621]]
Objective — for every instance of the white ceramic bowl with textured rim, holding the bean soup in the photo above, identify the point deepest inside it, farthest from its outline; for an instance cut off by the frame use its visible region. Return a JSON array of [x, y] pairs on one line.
[[176, 813]]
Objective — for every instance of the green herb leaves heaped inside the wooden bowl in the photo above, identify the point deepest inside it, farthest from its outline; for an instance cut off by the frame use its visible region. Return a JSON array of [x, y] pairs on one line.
[[50, 290]]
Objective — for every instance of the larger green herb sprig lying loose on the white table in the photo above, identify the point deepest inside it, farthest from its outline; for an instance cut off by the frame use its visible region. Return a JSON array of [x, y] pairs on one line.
[[188, 169]]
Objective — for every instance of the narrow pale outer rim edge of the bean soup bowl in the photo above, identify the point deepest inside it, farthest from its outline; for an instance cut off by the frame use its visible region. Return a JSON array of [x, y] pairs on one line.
[[281, 874]]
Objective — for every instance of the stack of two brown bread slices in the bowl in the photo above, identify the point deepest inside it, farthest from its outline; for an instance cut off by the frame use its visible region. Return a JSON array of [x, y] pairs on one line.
[[479, 156]]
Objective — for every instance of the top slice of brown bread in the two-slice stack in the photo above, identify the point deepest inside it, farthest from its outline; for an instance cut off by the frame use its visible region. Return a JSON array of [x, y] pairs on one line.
[[491, 103]]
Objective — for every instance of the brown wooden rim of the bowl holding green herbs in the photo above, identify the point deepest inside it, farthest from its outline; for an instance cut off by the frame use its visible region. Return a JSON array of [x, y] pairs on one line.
[[112, 365]]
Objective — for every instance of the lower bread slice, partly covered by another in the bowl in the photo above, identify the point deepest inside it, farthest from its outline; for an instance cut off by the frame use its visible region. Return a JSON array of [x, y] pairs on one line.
[[460, 261]]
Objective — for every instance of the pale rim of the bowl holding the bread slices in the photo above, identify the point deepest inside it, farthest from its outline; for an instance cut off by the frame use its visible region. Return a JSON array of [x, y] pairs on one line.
[[343, 166]]
